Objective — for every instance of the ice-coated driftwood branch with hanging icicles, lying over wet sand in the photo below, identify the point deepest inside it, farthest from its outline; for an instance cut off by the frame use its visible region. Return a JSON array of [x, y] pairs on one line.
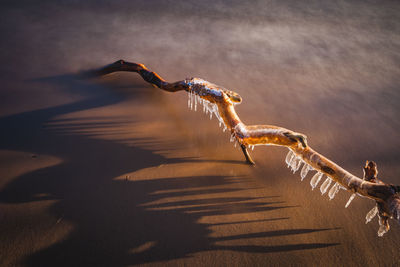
[[221, 102]]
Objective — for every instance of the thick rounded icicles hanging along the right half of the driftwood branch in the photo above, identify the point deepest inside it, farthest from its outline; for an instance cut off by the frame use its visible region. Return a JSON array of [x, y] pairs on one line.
[[294, 162]]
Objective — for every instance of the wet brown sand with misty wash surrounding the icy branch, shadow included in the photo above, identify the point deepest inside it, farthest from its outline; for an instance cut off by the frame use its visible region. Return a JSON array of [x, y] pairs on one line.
[[113, 172]]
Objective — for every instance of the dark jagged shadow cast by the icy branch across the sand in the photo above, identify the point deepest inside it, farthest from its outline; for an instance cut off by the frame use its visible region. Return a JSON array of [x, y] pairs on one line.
[[115, 222]]
